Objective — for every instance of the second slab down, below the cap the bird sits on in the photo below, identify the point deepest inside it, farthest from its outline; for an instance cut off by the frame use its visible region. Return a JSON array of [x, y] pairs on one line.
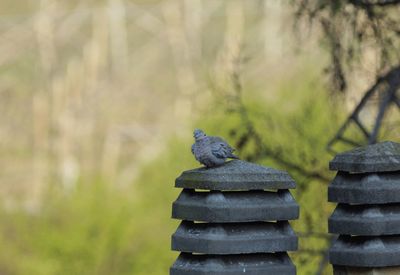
[[236, 206]]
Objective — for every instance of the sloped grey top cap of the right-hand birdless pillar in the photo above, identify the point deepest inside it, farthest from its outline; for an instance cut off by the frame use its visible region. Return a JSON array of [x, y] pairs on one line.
[[380, 157]]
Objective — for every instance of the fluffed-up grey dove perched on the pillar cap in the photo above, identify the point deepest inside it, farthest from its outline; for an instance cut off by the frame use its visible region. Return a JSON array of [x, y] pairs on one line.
[[211, 151]]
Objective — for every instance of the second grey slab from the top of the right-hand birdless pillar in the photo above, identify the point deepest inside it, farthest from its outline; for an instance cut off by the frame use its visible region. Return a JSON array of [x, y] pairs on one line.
[[370, 188]]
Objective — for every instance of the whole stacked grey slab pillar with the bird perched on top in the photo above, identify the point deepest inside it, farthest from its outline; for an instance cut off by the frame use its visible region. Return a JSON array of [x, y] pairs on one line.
[[234, 221]]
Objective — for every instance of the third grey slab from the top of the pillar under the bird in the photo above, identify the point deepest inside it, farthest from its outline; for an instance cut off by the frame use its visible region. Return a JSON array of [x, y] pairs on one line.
[[234, 238]]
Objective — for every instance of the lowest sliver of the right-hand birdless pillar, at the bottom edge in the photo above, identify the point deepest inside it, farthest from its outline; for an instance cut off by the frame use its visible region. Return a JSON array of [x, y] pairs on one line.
[[346, 270]]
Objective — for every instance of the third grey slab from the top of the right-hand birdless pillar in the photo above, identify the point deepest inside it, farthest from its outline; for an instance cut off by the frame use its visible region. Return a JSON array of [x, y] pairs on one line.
[[365, 220]]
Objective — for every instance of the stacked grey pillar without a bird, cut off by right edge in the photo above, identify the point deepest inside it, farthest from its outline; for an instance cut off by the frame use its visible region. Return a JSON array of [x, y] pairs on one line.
[[367, 217]]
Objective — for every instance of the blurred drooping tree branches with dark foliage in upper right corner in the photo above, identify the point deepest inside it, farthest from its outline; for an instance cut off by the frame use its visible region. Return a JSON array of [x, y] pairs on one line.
[[351, 28]]
